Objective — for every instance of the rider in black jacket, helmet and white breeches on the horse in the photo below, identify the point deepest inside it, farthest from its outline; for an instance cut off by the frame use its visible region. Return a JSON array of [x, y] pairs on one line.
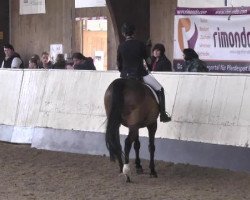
[[131, 56]]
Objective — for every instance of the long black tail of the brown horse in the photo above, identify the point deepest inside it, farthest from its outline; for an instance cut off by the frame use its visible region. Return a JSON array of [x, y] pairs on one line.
[[114, 121]]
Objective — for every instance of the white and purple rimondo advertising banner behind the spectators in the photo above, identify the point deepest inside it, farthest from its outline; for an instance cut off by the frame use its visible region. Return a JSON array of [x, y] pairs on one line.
[[220, 36]]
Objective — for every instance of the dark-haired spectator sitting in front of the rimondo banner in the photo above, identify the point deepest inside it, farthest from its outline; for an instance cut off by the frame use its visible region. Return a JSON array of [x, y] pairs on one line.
[[192, 62]]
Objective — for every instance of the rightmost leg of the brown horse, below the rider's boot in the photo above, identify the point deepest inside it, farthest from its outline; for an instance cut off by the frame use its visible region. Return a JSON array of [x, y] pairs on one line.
[[151, 130]]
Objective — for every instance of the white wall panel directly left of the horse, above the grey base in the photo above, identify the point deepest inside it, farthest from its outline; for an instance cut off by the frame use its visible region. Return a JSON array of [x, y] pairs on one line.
[[74, 100]]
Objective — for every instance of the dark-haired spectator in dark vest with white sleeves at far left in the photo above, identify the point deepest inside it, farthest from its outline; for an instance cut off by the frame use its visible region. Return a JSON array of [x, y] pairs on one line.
[[12, 59]]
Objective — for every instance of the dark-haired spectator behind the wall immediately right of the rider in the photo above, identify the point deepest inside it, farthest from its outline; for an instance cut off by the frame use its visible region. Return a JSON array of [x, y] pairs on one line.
[[159, 62]]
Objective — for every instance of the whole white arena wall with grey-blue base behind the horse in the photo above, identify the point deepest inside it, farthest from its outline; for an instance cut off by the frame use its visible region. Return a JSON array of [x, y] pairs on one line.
[[63, 110]]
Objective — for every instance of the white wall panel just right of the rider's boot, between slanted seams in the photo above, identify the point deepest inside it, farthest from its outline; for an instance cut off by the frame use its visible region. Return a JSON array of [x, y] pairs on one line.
[[194, 98]]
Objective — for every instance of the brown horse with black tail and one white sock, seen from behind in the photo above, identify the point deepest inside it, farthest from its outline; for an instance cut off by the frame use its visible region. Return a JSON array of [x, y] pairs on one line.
[[131, 103]]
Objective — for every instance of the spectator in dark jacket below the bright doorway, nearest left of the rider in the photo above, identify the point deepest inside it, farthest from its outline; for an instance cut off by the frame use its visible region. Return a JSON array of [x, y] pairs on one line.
[[83, 63]]
